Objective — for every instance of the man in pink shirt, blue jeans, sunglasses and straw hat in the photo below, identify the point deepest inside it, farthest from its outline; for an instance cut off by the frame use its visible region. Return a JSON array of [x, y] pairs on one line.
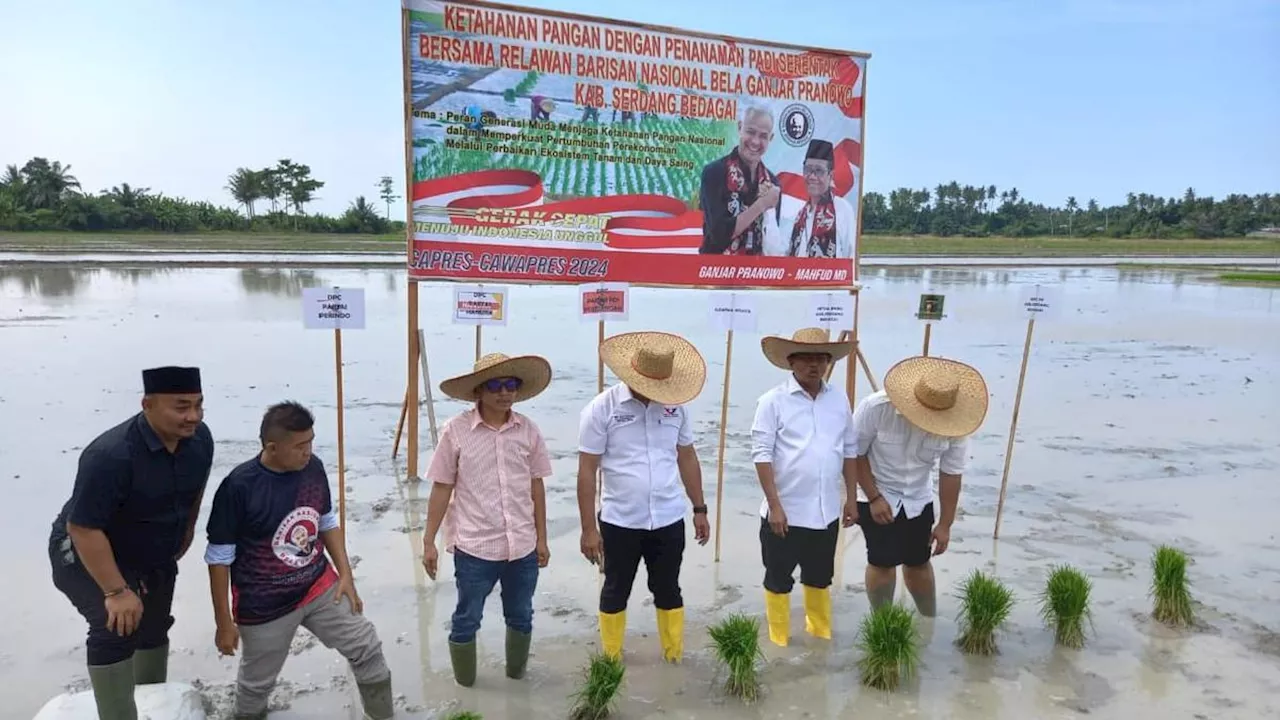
[[488, 475]]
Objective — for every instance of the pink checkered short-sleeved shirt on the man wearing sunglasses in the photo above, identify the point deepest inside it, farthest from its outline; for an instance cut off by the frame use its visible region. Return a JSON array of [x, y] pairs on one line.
[[492, 472]]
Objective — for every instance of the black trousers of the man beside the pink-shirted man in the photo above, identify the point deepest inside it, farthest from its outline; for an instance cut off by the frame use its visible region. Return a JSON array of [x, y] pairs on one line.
[[662, 552]]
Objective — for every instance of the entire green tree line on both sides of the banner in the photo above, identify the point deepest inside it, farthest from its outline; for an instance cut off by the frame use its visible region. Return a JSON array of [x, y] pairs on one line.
[[44, 195]]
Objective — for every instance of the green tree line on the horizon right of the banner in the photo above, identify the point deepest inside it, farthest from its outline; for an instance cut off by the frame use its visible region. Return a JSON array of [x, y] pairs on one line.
[[967, 211]]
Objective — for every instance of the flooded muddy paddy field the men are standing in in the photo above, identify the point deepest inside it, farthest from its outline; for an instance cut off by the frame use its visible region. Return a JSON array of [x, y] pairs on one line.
[[1151, 414]]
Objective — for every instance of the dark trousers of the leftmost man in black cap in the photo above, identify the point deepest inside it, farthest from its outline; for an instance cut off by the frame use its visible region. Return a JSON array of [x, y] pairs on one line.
[[103, 646]]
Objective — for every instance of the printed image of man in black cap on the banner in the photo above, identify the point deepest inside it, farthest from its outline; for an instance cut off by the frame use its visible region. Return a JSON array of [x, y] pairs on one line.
[[825, 225]]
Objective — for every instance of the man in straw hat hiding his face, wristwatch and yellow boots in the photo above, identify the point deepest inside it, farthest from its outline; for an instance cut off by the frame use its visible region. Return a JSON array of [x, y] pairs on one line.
[[638, 435]]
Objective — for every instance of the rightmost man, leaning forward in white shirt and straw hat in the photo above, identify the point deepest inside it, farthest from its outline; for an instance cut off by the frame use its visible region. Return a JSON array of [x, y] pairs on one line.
[[925, 416]]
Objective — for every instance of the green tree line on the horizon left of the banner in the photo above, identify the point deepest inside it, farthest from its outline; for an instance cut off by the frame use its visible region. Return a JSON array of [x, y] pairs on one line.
[[44, 195]]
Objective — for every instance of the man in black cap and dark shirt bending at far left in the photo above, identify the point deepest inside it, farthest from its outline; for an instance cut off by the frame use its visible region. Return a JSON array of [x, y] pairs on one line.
[[116, 545]]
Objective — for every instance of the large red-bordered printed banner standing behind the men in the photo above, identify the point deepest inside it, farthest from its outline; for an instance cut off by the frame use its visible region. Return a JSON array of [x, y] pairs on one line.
[[556, 149]]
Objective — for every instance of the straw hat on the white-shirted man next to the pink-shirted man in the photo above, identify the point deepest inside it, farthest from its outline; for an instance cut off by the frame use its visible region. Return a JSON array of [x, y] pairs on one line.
[[662, 367]]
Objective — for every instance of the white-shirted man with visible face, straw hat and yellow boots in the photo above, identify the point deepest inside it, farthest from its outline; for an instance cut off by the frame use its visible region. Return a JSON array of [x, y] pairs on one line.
[[803, 448]]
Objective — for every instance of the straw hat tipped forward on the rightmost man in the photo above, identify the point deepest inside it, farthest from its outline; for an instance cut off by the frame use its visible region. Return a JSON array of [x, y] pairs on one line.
[[940, 397]]
